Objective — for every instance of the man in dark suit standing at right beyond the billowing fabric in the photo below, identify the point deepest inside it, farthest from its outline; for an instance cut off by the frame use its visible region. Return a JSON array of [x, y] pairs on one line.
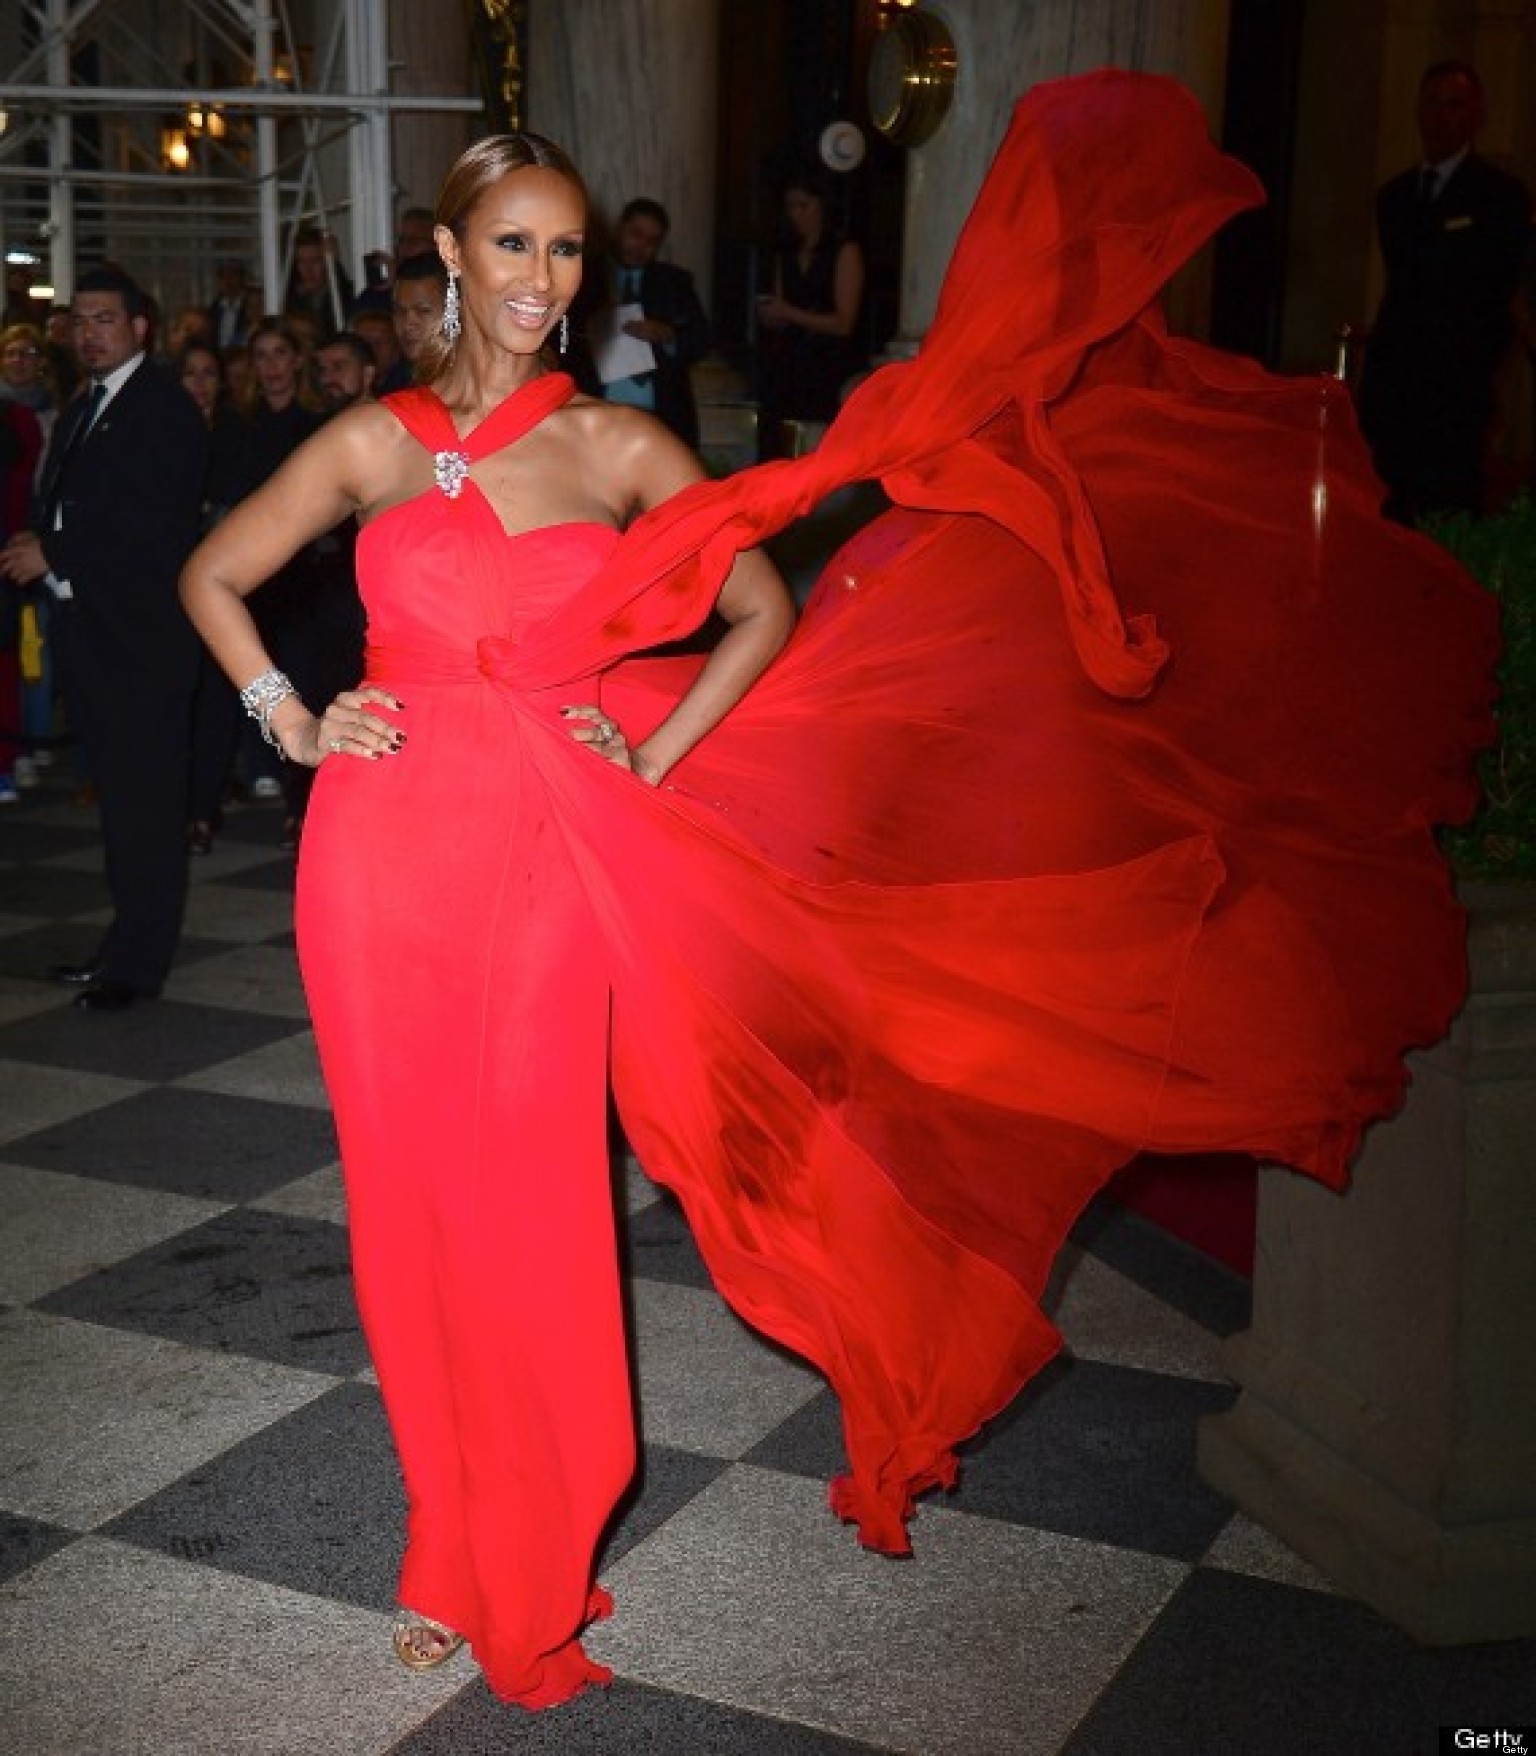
[[1454, 234]]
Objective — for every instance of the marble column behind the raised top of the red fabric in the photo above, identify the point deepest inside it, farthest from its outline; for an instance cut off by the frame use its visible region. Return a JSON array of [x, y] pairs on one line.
[[1003, 52]]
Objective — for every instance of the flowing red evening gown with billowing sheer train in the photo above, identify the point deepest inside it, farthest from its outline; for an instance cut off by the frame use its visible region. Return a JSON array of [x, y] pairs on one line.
[[984, 889]]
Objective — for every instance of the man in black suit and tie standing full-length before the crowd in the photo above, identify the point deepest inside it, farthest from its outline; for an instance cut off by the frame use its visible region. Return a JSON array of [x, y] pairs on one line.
[[120, 515]]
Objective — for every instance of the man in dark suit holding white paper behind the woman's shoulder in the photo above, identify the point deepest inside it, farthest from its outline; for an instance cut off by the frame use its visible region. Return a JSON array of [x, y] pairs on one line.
[[671, 319]]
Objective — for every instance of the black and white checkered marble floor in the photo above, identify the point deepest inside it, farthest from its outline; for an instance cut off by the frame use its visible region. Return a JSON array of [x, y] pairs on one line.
[[201, 1513]]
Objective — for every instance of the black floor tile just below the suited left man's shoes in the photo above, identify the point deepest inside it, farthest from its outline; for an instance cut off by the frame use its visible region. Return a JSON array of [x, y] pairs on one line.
[[157, 1040]]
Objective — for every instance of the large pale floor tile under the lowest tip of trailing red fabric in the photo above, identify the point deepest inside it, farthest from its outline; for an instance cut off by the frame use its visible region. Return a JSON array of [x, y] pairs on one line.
[[996, 1639]]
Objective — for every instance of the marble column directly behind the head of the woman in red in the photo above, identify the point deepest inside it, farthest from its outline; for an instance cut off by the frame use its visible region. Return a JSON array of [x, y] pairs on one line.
[[629, 89]]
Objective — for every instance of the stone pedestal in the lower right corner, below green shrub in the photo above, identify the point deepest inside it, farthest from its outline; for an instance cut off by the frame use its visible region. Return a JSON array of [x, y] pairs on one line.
[[1388, 1414]]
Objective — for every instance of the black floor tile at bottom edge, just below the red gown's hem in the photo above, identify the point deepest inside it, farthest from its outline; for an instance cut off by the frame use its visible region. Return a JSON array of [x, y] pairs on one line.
[[624, 1720]]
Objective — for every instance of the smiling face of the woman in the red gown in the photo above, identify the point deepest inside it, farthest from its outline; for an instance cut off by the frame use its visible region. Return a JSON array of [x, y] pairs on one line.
[[519, 259]]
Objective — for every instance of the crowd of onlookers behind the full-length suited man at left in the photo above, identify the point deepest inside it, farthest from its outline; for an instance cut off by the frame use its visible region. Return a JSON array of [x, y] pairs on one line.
[[262, 385]]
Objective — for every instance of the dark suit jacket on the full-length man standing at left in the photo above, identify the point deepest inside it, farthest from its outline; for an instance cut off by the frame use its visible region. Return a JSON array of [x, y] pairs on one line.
[[131, 517]]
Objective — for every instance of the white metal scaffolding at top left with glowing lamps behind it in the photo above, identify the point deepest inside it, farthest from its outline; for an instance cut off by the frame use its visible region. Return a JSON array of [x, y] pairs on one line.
[[169, 136]]
